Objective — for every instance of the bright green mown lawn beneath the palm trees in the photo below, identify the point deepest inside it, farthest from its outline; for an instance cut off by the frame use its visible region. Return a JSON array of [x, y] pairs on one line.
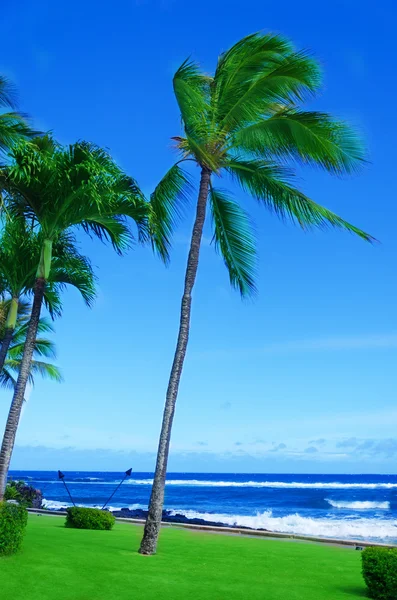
[[58, 563]]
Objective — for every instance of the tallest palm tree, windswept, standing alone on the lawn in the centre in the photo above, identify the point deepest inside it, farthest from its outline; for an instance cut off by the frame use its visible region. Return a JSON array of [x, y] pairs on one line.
[[244, 123]]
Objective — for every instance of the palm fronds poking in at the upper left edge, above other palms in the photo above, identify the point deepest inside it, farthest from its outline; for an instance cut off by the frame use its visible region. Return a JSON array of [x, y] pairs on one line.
[[13, 125]]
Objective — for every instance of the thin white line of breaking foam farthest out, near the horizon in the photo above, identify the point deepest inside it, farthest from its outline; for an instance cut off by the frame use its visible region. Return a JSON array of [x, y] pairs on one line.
[[268, 484]]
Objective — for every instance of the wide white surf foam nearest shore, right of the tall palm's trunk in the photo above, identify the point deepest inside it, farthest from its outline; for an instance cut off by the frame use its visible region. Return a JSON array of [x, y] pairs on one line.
[[334, 528]]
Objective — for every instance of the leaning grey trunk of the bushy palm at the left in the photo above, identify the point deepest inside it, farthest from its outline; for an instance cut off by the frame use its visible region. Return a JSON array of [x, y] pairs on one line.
[[19, 392]]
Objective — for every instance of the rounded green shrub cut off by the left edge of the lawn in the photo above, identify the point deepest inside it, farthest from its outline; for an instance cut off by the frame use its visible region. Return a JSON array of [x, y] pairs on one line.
[[13, 519]]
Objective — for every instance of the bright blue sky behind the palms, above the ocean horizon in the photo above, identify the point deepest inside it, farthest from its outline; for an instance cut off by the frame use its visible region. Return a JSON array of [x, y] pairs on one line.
[[302, 379]]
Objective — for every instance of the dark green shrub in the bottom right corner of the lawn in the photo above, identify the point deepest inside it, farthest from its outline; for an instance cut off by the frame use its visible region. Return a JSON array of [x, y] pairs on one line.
[[380, 572]]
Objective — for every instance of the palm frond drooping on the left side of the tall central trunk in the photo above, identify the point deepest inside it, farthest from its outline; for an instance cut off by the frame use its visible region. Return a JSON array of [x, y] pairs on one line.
[[167, 204]]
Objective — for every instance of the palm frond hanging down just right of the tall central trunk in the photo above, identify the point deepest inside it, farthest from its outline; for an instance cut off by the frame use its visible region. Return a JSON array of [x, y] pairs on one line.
[[234, 238]]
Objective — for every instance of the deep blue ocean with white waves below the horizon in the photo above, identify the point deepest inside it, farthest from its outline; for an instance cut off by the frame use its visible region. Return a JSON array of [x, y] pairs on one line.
[[362, 507]]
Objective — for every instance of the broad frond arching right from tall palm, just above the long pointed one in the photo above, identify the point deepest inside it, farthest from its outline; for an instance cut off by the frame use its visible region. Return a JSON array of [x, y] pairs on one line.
[[309, 137]]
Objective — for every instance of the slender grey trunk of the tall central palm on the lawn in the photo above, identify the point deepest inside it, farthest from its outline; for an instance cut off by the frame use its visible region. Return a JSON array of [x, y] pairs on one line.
[[153, 521]]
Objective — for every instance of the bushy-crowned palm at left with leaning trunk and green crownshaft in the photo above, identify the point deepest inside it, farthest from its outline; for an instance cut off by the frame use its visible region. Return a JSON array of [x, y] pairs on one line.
[[60, 190]]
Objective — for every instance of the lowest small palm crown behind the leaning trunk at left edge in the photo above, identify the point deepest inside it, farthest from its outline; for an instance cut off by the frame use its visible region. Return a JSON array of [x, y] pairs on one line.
[[44, 348]]
